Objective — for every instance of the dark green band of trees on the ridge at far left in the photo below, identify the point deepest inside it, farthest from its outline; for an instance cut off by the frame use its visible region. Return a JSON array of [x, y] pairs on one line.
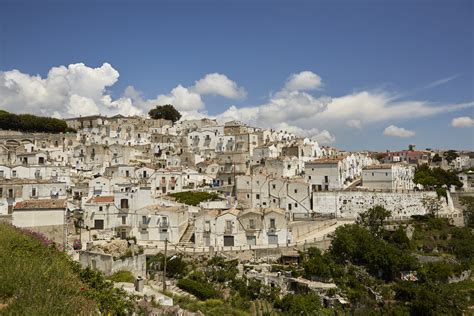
[[31, 123]]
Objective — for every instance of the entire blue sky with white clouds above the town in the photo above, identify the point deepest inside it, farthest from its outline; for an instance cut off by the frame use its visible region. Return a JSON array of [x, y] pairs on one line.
[[397, 55]]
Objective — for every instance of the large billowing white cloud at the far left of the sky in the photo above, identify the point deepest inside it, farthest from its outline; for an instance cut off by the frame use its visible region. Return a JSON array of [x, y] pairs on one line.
[[65, 91]]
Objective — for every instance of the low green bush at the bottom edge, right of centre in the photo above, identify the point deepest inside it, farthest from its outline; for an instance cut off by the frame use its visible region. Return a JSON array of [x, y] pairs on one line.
[[300, 304]]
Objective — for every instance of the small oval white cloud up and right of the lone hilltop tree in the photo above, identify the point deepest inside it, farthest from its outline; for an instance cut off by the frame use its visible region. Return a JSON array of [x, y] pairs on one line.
[[219, 84]]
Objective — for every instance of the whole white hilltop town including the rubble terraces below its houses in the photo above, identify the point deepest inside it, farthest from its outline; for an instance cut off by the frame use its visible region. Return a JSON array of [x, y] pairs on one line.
[[118, 192]]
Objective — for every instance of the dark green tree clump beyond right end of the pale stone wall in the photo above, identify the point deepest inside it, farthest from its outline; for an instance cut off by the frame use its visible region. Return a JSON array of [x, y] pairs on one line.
[[435, 177]]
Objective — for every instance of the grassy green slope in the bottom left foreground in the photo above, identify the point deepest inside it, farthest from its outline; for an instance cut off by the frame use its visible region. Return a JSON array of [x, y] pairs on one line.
[[38, 279]]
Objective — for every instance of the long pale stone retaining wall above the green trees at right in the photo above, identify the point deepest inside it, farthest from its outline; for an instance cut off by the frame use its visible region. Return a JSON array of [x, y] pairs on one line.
[[348, 204]]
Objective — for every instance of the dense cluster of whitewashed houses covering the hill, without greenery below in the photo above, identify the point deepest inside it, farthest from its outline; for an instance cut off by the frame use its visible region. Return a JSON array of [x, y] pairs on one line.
[[118, 172]]
